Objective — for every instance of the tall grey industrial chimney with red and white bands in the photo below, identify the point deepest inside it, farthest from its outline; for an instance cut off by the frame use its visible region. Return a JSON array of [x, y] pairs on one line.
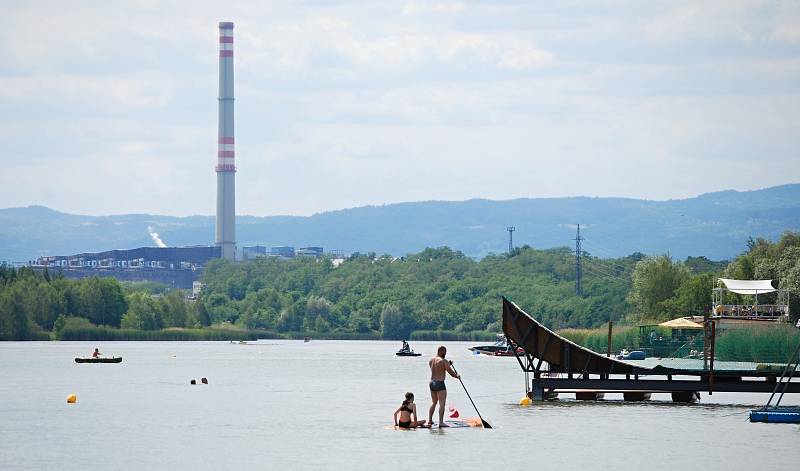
[[226, 168]]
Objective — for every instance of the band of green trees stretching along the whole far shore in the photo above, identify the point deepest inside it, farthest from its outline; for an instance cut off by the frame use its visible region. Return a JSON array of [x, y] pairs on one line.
[[369, 296]]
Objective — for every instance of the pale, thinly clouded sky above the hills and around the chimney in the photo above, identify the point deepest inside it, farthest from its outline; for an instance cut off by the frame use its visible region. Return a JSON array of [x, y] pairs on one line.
[[111, 107]]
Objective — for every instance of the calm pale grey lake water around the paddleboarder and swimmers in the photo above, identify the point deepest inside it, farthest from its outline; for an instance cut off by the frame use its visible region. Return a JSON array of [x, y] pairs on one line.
[[329, 404]]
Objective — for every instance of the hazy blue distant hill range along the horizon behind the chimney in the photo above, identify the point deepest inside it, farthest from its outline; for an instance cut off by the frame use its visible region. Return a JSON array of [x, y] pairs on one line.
[[716, 225]]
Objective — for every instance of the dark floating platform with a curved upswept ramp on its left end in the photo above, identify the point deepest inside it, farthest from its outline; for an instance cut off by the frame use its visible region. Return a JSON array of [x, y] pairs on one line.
[[569, 367]]
